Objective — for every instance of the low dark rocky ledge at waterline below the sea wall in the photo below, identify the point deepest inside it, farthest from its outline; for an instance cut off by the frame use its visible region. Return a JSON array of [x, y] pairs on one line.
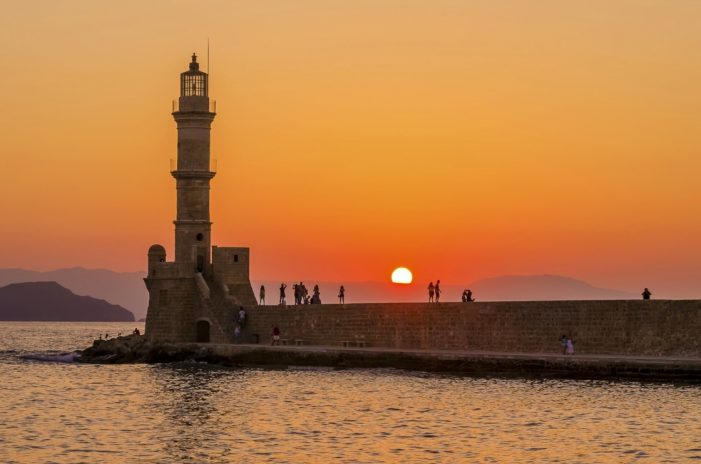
[[137, 349]]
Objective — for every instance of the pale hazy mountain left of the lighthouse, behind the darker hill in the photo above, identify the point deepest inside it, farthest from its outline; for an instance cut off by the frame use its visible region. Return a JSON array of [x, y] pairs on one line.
[[123, 288]]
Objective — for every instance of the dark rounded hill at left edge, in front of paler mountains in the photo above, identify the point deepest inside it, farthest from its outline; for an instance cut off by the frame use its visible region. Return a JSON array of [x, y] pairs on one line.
[[48, 301]]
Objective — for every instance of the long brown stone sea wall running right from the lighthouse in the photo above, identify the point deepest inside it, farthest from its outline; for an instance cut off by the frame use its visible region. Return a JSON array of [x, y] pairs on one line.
[[636, 328]]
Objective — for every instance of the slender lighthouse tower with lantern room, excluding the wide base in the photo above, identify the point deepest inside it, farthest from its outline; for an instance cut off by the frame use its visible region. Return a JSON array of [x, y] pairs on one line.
[[193, 115]]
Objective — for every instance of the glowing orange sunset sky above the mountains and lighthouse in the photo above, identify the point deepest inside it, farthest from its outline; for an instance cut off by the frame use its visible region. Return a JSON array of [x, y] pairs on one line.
[[462, 139]]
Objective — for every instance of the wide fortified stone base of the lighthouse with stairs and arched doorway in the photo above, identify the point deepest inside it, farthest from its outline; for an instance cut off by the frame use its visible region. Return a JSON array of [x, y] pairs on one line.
[[190, 306]]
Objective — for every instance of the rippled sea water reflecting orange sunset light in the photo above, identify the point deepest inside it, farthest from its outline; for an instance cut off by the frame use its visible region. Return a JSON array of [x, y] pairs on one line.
[[66, 412]]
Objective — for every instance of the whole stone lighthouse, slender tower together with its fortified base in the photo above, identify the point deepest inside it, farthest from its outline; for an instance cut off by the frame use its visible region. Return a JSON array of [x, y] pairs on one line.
[[194, 298]]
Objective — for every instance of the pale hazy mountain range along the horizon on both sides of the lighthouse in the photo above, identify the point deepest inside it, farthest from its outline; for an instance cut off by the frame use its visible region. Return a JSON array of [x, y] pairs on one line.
[[128, 290]]
